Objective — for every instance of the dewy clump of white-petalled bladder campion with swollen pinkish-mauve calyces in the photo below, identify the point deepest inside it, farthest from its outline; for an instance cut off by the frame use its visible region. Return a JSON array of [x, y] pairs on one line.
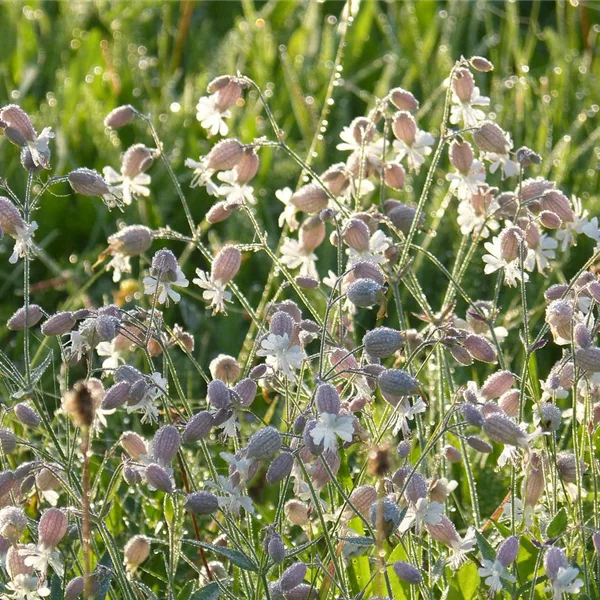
[[346, 452]]
